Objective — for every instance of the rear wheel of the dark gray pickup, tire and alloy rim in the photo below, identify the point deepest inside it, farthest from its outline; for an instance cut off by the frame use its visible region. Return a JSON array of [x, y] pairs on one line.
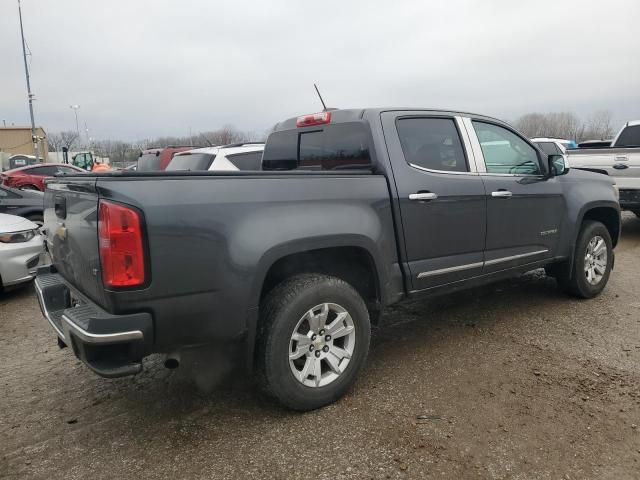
[[313, 342]]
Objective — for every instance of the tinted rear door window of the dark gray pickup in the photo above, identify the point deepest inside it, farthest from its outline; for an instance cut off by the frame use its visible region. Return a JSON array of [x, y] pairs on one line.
[[432, 143]]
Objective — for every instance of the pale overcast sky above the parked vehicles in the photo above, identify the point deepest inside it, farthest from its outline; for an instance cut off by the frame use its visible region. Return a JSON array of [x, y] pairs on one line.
[[142, 68]]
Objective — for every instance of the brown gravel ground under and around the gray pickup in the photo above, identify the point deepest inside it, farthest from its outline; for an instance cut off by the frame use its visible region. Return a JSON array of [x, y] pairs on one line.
[[512, 381]]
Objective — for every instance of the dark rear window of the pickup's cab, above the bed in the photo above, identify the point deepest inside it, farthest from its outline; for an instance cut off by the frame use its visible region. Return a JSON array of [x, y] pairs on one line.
[[340, 146]]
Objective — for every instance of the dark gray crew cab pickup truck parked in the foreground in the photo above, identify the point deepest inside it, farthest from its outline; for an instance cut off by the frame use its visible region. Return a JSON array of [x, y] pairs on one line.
[[354, 210]]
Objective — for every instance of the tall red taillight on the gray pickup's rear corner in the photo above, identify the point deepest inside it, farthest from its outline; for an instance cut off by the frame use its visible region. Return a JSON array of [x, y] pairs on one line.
[[121, 252]]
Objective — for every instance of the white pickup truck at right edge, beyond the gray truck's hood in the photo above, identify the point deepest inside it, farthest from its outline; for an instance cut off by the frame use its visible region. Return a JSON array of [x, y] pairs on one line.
[[621, 161]]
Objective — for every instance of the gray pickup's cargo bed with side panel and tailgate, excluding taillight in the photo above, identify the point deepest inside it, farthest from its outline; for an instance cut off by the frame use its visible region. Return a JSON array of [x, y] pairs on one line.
[[209, 237]]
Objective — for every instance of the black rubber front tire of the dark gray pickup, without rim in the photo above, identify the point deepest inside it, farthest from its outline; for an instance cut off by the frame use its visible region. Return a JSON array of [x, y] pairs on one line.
[[578, 285]]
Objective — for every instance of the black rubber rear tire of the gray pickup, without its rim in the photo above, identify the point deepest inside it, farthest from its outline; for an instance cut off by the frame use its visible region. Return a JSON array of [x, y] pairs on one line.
[[280, 313]]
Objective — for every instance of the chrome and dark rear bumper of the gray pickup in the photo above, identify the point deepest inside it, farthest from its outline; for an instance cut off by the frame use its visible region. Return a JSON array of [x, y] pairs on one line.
[[110, 345]]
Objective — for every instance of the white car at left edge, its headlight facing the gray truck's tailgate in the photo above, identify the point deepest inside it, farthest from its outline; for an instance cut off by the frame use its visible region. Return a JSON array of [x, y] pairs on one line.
[[21, 250]]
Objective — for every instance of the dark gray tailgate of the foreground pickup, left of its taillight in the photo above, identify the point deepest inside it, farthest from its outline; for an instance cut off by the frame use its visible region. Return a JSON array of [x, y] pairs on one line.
[[71, 223]]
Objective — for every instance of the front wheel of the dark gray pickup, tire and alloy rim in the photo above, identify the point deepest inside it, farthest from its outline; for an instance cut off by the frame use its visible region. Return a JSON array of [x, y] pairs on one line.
[[593, 260]]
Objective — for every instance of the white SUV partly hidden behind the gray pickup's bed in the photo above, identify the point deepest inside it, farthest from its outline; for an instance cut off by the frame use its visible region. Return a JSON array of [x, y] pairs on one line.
[[238, 156]]
